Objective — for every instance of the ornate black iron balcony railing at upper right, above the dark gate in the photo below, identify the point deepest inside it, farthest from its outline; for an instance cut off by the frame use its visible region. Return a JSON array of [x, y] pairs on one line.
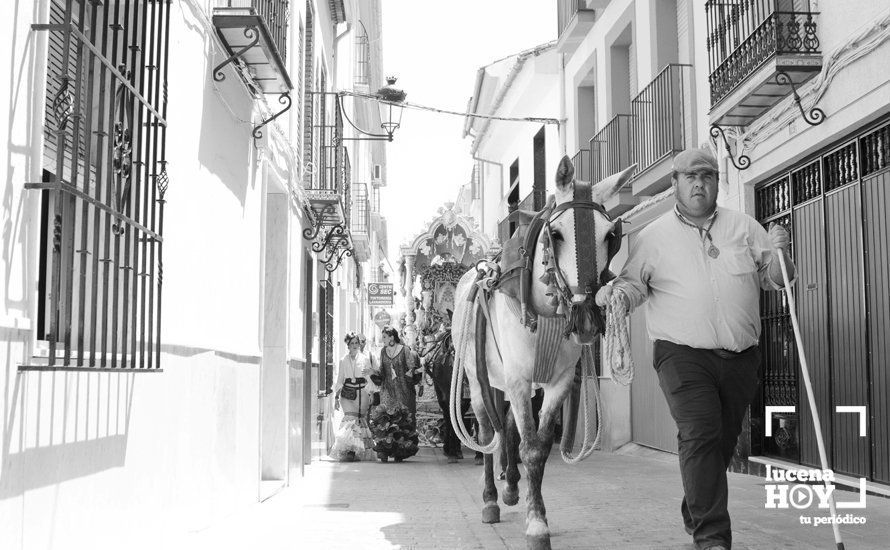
[[743, 34]]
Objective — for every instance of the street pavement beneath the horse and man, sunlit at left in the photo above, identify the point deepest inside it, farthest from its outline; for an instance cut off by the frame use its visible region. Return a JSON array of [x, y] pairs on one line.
[[629, 500]]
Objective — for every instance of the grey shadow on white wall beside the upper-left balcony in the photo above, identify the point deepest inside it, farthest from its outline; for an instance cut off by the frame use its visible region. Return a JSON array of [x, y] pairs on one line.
[[226, 143]]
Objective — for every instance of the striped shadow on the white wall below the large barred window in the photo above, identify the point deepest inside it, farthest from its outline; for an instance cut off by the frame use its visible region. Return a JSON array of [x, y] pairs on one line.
[[59, 426]]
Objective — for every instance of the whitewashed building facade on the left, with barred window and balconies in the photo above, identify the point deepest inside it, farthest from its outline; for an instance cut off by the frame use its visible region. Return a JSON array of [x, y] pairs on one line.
[[167, 328]]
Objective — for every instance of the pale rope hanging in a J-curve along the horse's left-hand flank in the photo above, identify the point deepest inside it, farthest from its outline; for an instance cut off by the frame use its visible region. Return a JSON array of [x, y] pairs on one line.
[[462, 329]]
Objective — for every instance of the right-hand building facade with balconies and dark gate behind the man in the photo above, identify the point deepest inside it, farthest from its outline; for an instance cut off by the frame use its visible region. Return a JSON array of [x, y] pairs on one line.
[[645, 79]]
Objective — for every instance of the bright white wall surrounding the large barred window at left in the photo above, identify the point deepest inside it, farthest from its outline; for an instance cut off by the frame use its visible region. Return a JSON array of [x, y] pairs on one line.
[[149, 456]]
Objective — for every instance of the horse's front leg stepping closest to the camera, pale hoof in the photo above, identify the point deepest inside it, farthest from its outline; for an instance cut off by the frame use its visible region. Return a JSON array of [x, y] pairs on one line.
[[534, 450]]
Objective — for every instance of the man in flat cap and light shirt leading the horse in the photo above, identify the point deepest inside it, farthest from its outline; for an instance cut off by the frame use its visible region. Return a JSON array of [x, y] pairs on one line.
[[700, 268]]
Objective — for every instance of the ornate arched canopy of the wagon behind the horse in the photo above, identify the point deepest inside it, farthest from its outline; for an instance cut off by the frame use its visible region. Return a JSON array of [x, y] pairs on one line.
[[436, 259]]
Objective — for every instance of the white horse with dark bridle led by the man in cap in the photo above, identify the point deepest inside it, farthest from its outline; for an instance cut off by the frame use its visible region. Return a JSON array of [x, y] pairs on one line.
[[568, 264]]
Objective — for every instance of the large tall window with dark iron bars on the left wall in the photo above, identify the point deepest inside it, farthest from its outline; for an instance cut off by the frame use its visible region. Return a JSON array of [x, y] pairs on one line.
[[102, 195]]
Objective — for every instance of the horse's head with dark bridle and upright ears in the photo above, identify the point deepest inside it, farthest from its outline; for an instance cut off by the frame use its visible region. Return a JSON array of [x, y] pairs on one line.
[[575, 246]]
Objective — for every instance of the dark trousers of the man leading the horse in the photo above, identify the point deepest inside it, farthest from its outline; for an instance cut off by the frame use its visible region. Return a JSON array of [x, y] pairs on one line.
[[708, 393]]
